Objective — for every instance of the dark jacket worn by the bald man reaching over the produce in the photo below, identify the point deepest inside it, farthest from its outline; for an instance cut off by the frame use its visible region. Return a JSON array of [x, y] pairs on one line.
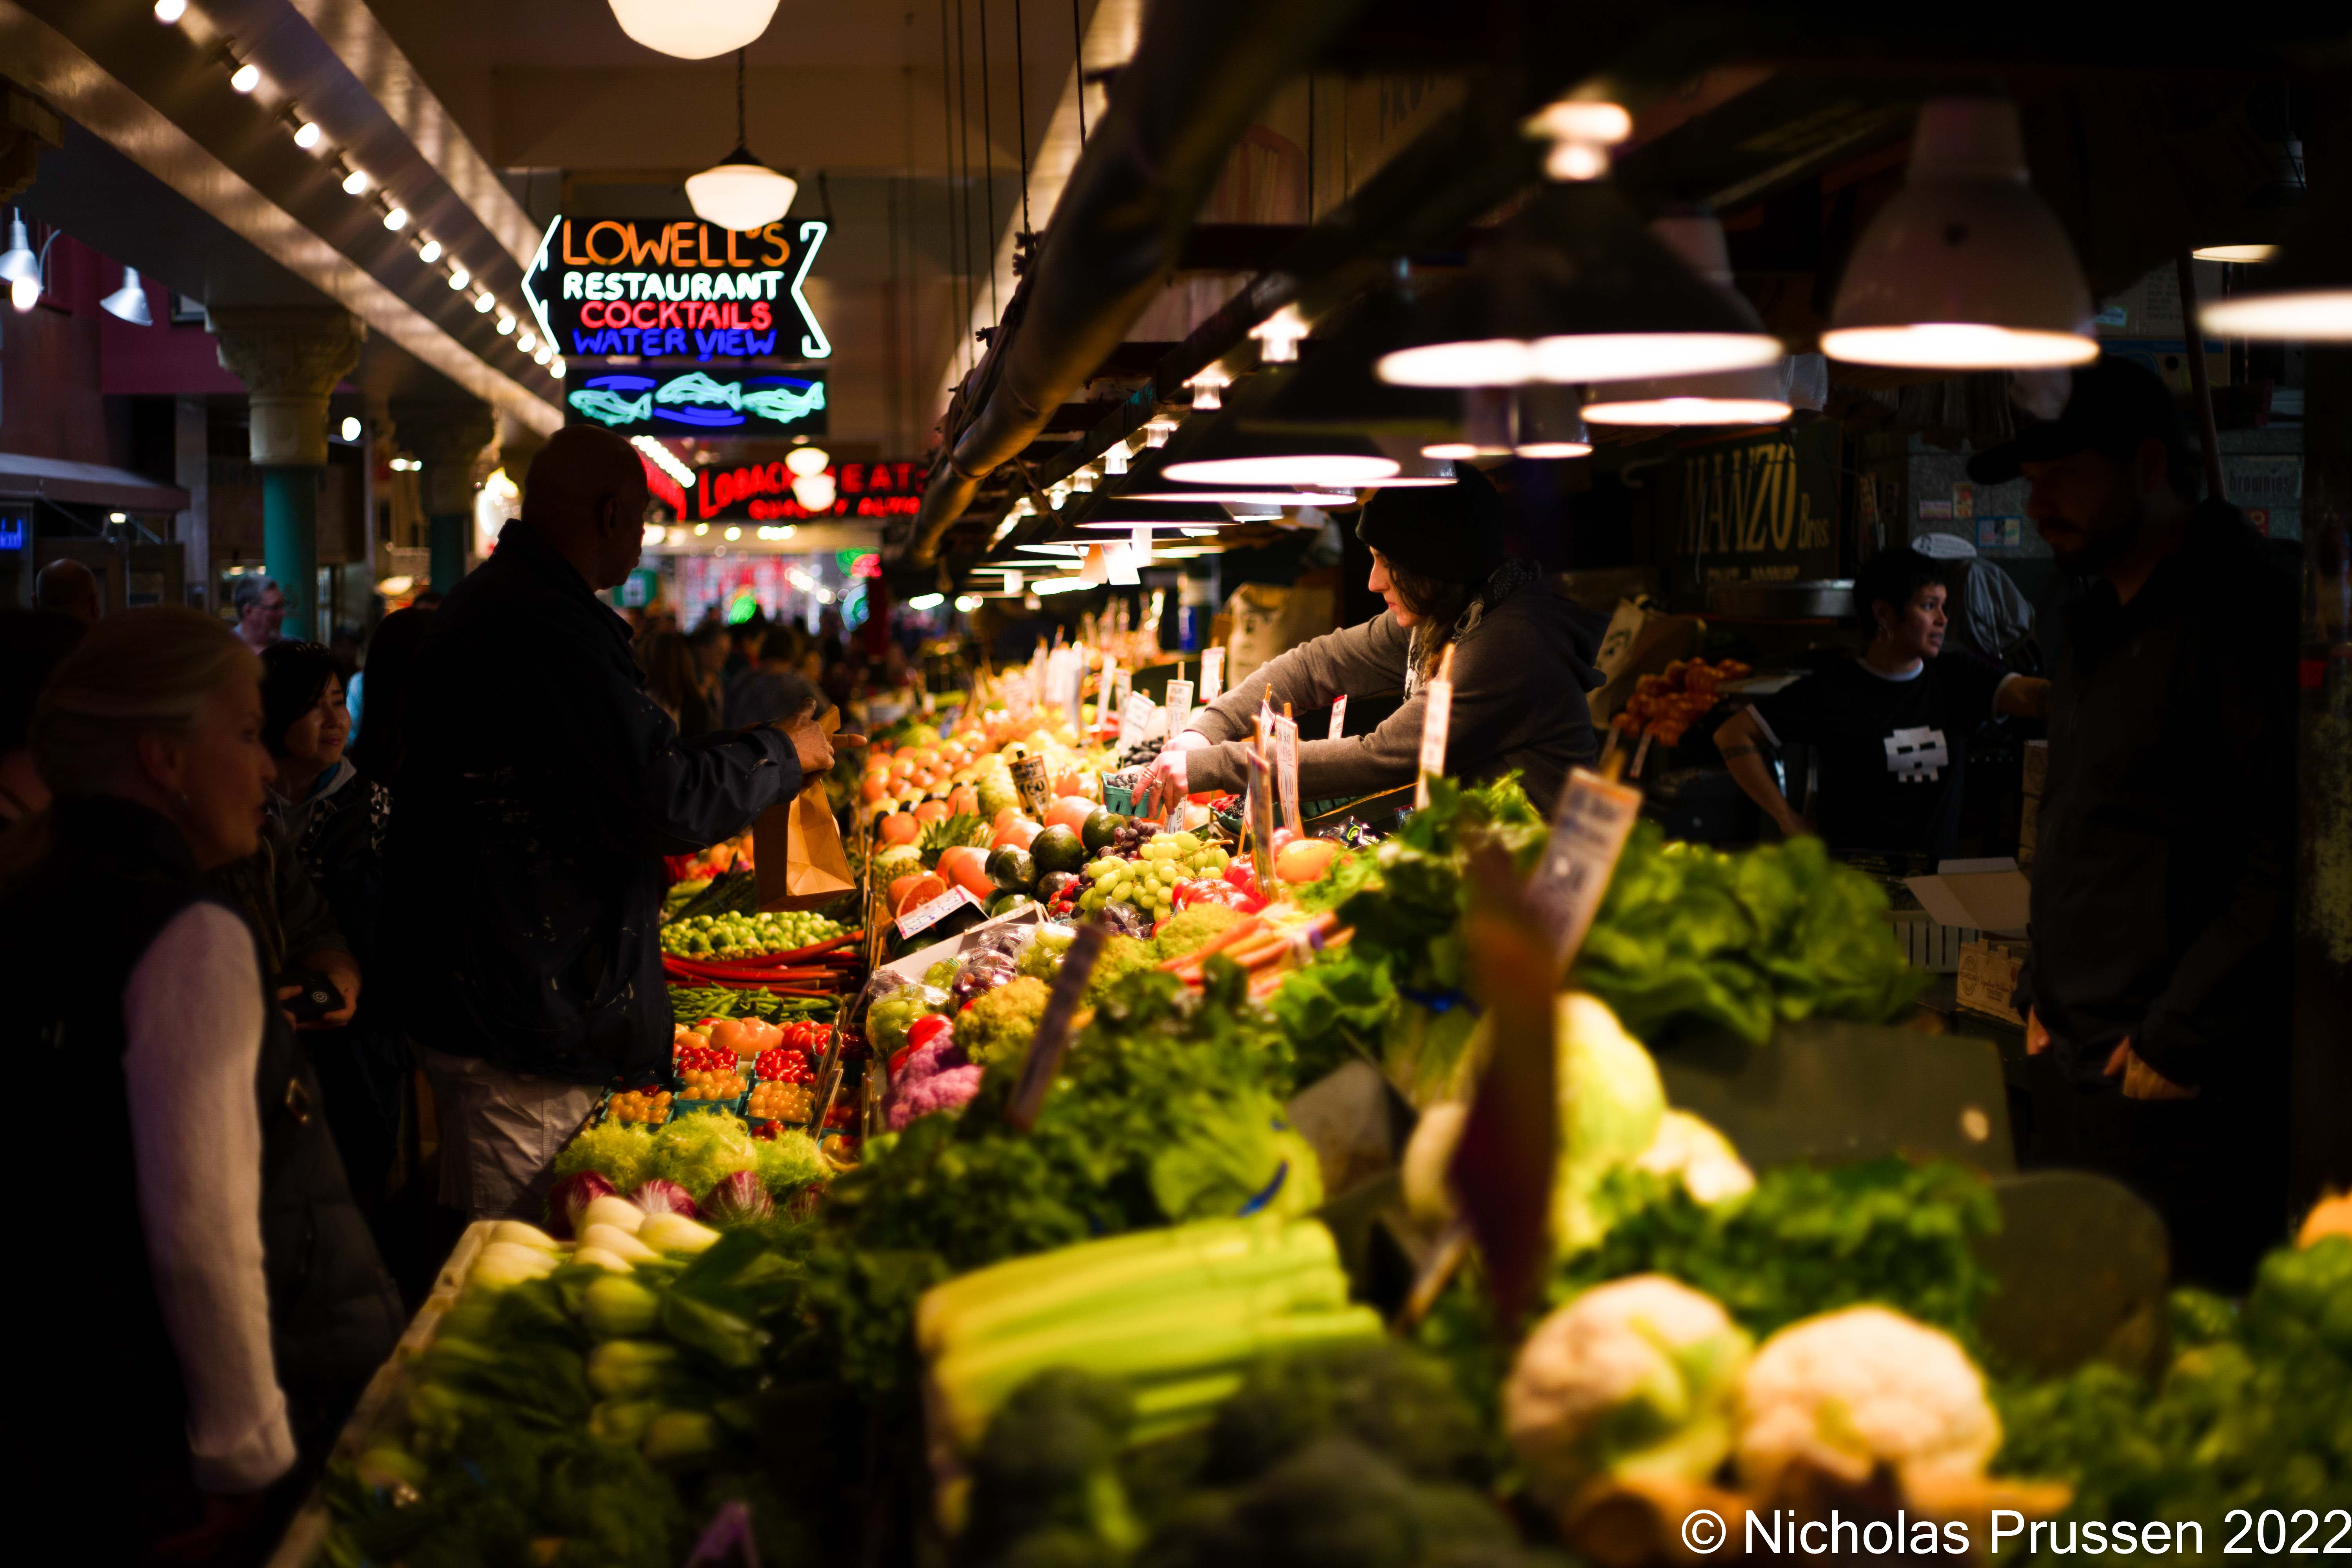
[[537, 798]]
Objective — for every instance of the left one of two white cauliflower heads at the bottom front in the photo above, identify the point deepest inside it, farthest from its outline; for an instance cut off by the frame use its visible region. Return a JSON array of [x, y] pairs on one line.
[[1631, 1379]]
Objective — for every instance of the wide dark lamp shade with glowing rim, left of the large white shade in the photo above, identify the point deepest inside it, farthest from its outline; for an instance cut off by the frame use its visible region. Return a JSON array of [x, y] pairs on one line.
[[1577, 293]]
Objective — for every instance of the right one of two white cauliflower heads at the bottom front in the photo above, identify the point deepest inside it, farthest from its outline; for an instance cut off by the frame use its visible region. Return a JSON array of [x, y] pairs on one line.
[[1862, 1388]]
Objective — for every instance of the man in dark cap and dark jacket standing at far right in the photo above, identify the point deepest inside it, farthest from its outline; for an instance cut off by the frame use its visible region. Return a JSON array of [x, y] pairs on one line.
[[2163, 869]]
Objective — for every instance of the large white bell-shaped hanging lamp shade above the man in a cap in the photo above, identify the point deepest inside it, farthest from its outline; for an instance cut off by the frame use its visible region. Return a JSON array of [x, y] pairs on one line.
[[1965, 269]]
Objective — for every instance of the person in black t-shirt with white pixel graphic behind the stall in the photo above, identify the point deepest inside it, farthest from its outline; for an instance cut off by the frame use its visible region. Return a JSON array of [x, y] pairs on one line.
[[1892, 728]]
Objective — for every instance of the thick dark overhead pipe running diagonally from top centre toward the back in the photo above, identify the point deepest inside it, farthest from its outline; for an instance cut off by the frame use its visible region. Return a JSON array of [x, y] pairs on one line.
[[1203, 72]]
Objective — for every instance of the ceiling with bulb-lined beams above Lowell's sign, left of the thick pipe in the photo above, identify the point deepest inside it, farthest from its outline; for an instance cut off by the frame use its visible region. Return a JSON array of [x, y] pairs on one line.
[[486, 121]]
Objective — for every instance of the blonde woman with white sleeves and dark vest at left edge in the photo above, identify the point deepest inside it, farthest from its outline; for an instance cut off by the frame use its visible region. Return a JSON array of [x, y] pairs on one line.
[[227, 1268]]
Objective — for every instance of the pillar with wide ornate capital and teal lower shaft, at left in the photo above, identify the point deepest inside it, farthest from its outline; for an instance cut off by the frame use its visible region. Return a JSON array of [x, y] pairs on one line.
[[290, 363]]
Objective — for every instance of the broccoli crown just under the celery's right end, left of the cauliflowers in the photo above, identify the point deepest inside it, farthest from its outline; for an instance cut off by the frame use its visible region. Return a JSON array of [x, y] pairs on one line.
[[1389, 1398]]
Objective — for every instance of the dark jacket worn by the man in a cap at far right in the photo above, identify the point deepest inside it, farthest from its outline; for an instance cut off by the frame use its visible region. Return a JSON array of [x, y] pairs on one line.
[[2165, 852]]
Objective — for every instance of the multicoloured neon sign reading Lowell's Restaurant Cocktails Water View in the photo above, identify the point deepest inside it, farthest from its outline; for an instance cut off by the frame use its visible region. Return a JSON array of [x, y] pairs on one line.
[[681, 288]]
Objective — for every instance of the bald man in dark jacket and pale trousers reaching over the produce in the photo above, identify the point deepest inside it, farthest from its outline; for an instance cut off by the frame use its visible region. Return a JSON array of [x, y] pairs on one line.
[[540, 793]]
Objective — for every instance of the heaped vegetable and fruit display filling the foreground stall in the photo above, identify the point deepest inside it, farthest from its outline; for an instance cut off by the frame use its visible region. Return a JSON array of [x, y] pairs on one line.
[[1135, 1334]]
